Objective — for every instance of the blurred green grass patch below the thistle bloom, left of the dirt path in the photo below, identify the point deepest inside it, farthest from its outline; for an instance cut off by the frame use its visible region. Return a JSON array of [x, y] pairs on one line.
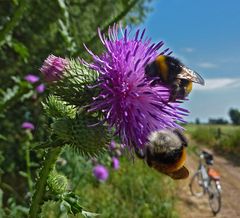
[[135, 191]]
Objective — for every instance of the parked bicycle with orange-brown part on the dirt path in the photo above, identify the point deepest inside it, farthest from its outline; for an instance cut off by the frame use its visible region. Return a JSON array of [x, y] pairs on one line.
[[207, 180]]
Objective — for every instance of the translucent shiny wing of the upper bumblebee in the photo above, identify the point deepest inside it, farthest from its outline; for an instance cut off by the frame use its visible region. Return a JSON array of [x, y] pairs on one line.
[[191, 75]]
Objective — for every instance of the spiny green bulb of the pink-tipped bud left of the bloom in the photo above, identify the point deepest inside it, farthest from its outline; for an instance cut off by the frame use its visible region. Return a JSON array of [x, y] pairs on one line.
[[74, 85]]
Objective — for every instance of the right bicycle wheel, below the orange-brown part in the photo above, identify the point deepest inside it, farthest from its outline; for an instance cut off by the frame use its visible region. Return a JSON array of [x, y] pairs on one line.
[[214, 197]]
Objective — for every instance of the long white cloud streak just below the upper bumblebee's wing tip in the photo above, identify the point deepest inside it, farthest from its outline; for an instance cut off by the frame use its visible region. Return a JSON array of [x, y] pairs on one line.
[[218, 83]]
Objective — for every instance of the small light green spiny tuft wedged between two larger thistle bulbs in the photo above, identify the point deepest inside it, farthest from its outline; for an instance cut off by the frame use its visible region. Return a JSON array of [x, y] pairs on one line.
[[56, 108]]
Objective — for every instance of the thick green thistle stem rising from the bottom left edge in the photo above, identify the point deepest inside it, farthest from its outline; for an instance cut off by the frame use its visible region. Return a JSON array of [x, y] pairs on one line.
[[40, 188]]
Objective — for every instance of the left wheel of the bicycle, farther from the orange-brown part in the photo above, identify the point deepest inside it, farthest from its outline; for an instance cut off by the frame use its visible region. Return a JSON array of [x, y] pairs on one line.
[[196, 185]]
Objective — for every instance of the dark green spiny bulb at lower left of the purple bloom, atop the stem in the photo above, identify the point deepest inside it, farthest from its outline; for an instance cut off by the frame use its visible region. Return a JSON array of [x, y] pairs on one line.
[[88, 141]]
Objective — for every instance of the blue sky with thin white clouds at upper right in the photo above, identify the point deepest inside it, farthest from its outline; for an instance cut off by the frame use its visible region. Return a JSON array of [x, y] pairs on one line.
[[205, 35]]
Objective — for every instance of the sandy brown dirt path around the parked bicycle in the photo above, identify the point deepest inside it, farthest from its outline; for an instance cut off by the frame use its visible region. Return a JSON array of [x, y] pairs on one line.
[[192, 207]]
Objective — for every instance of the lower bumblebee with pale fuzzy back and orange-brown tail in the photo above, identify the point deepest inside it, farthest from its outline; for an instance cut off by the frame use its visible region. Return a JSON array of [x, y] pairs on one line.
[[165, 151]]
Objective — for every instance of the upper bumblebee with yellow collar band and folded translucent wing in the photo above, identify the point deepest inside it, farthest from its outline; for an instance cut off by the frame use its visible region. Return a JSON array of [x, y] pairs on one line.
[[173, 73]]
